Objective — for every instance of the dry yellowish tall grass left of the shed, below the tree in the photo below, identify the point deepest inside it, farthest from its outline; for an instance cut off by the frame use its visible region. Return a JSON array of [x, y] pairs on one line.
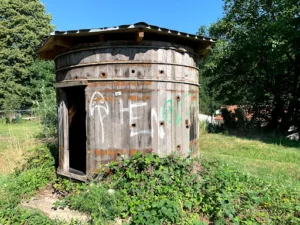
[[15, 140]]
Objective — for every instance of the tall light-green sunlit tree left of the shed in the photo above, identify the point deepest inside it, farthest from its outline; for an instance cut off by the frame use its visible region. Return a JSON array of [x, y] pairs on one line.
[[23, 25]]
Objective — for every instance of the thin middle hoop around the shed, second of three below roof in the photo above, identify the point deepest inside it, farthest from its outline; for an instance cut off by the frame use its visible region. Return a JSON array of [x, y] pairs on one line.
[[123, 62]]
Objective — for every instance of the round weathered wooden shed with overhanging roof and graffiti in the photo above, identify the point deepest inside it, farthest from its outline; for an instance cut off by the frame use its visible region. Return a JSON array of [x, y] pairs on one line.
[[124, 89]]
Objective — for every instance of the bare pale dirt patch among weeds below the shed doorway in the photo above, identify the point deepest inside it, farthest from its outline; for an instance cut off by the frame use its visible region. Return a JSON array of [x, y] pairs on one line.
[[44, 202]]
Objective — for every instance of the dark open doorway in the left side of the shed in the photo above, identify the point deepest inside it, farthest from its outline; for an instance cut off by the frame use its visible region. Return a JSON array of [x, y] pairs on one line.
[[77, 129]]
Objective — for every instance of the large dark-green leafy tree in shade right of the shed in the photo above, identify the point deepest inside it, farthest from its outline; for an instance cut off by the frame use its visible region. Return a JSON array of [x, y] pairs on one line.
[[257, 60]]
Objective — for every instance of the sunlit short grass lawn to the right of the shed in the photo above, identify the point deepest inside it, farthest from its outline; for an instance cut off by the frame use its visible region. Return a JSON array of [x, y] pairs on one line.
[[263, 157]]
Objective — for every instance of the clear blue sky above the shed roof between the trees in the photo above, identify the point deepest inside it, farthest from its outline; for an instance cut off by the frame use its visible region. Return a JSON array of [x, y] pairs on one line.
[[183, 15]]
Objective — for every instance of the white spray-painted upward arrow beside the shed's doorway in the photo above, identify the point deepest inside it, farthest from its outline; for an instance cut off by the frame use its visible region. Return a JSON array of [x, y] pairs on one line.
[[97, 103]]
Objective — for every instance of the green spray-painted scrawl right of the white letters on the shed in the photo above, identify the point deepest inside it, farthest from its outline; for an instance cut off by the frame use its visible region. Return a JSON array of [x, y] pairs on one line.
[[169, 114]]
